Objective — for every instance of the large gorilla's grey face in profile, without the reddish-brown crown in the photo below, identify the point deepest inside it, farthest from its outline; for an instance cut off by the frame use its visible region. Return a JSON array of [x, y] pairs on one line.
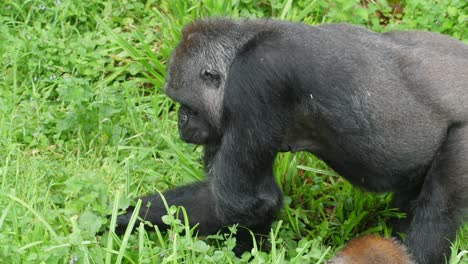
[[198, 85]]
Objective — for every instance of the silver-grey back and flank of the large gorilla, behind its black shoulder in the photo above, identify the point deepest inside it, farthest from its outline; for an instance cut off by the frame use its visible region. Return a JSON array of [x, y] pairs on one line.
[[409, 85]]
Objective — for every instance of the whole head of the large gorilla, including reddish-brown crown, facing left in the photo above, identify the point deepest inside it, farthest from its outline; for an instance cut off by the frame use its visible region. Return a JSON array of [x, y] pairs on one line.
[[196, 76]]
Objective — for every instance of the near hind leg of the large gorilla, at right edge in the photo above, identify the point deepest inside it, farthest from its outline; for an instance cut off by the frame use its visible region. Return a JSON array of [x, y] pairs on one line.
[[438, 210]]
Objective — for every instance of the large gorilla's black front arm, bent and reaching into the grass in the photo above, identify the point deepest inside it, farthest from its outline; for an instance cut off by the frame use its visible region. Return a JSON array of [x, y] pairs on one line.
[[240, 186]]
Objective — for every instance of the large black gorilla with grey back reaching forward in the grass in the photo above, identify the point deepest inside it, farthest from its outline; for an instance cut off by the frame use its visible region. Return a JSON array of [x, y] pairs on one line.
[[389, 112]]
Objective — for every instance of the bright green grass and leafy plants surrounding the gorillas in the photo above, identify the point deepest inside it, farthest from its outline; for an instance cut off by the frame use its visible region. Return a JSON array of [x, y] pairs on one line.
[[84, 128]]
